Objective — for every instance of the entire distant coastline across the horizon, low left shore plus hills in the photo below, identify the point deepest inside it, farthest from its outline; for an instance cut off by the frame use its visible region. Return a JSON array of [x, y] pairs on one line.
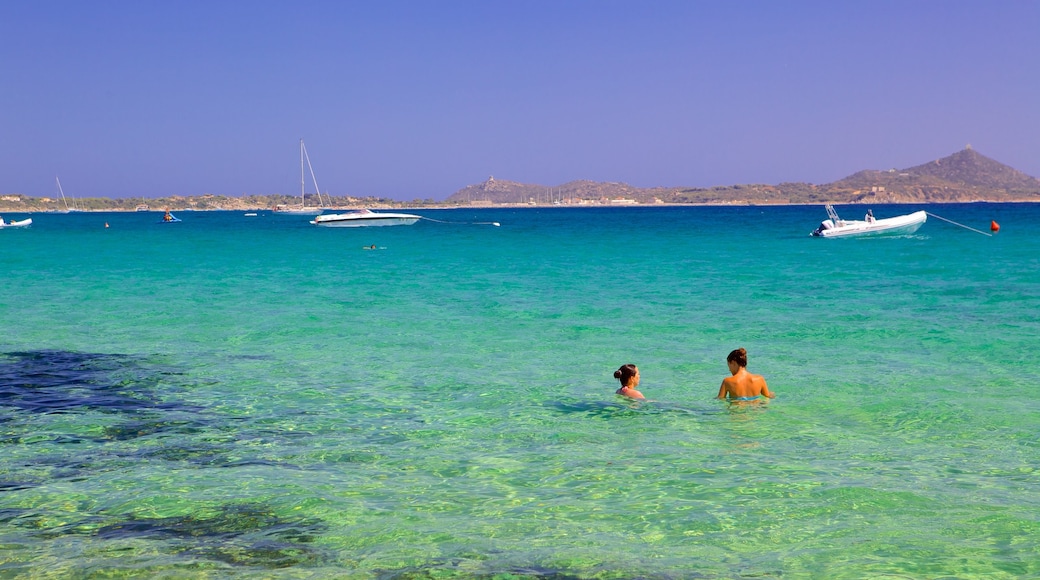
[[966, 176]]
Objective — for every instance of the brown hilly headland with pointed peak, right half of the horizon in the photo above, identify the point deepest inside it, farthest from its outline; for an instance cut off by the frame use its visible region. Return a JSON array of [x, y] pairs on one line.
[[966, 176]]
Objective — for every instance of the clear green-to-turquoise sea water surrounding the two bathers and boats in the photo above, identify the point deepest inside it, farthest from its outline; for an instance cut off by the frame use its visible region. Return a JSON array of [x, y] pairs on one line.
[[237, 397]]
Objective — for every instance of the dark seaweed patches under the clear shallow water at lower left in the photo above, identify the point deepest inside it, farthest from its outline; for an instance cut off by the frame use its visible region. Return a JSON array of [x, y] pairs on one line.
[[39, 385]]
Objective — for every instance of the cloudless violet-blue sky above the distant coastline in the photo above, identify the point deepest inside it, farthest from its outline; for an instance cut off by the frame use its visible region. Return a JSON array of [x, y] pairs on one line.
[[414, 100]]
